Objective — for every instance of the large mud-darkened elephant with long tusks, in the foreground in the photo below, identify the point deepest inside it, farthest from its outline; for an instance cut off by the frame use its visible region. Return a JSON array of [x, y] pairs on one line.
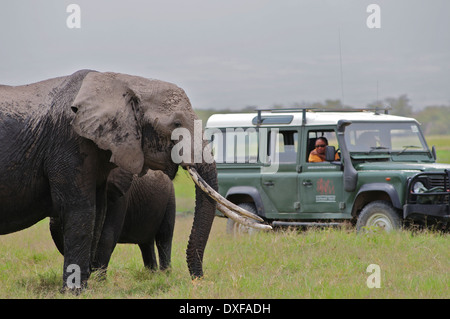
[[59, 140]]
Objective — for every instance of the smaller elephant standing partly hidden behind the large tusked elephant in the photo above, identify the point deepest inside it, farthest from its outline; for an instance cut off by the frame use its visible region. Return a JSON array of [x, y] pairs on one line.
[[143, 214]]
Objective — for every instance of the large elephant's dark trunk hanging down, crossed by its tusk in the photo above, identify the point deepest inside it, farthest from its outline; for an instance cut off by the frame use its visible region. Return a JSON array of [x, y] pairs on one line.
[[205, 208]]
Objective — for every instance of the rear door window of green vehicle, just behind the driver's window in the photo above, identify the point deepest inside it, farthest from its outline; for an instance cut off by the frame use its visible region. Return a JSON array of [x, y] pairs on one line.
[[287, 146]]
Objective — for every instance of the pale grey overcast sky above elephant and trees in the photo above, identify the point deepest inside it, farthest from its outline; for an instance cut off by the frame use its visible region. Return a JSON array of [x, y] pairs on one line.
[[235, 53]]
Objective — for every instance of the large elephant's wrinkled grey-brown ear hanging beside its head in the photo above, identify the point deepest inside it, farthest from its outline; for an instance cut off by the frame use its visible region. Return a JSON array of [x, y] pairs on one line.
[[106, 113]]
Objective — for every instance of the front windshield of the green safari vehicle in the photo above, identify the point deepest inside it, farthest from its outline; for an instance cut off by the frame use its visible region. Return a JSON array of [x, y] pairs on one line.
[[397, 137]]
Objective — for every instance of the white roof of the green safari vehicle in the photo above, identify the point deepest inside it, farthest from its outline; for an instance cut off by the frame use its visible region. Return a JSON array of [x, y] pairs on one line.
[[312, 118]]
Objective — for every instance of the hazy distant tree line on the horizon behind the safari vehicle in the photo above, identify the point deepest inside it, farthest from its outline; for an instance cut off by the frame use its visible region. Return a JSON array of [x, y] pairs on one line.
[[434, 119]]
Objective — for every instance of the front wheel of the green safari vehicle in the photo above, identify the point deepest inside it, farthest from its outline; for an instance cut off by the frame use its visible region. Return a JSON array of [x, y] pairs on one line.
[[379, 214]]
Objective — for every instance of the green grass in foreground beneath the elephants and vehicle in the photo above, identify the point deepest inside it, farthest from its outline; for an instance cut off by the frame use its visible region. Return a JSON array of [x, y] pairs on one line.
[[281, 264]]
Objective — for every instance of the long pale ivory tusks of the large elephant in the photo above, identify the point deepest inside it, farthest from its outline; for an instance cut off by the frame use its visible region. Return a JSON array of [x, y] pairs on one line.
[[229, 209]]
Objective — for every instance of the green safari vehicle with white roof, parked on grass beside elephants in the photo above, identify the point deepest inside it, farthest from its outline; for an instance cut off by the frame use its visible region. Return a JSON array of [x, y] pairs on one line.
[[384, 174]]
